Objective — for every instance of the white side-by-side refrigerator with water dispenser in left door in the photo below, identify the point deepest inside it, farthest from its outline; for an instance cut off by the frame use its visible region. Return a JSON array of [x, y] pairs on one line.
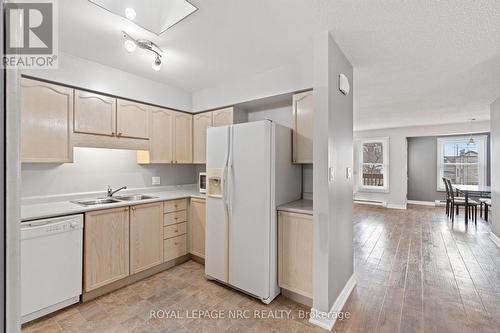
[[249, 174]]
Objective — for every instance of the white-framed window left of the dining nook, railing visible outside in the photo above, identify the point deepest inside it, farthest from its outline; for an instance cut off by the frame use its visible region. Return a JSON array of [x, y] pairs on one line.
[[374, 164]]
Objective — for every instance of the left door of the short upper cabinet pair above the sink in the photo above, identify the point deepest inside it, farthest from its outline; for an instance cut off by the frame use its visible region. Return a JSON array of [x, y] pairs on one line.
[[94, 113]]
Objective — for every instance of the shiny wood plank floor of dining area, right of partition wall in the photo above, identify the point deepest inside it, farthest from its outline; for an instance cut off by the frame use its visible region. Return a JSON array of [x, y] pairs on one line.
[[418, 272]]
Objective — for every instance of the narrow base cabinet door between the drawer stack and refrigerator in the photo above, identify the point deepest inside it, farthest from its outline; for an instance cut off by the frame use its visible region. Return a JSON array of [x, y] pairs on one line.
[[197, 228]]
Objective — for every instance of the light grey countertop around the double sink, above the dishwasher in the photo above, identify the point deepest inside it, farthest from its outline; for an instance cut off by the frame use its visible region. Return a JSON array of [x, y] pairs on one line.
[[34, 211]]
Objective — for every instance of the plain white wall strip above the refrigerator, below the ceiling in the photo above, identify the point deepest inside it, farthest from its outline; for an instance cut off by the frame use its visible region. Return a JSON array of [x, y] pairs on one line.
[[288, 78]]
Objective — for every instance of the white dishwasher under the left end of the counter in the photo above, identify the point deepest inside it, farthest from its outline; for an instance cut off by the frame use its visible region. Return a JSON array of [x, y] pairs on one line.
[[51, 265]]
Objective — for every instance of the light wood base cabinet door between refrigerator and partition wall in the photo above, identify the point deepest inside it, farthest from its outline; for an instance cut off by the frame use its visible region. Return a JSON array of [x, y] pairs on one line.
[[295, 252]]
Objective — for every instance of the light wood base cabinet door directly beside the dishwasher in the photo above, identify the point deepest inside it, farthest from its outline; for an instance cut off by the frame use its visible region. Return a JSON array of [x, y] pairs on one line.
[[106, 247]]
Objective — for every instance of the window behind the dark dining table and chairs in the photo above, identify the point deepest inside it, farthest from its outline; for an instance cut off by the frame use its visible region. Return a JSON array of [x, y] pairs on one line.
[[461, 161]]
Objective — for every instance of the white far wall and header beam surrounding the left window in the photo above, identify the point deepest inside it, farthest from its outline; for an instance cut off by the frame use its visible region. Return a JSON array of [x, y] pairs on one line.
[[396, 196]]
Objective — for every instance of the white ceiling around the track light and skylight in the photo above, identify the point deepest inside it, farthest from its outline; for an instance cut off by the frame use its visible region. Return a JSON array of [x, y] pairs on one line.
[[416, 62]]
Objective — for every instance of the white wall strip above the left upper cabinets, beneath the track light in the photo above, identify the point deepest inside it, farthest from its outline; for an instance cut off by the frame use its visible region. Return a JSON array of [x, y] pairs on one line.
[[94, 76]]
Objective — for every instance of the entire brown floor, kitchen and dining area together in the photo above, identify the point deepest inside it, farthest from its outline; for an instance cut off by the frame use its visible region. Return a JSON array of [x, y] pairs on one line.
[[416, 272]]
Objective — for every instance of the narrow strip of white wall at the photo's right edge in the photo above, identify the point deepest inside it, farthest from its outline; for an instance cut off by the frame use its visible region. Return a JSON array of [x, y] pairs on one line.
[[495, 167]]
